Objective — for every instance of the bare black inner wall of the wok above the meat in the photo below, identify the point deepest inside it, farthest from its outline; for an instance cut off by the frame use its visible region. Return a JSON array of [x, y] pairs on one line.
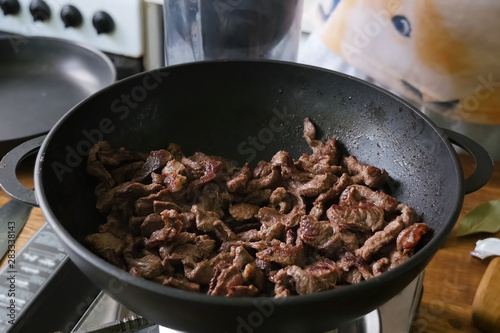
[[247, 111]]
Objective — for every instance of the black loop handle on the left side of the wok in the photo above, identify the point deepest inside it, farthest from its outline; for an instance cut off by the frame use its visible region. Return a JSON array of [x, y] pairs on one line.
[[8, 166]]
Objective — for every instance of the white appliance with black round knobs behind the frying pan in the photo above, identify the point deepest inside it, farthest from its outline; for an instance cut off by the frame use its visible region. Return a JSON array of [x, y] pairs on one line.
[[125, 30]]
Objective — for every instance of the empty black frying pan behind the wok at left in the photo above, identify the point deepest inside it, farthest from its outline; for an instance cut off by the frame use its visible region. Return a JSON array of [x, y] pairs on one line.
[[43, 78]]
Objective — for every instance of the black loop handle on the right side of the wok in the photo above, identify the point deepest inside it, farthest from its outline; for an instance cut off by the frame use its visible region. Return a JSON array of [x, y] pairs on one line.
[[484, 163]]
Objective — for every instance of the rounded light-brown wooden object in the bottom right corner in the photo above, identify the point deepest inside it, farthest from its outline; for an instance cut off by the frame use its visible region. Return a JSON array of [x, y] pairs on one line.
[[486, 305]]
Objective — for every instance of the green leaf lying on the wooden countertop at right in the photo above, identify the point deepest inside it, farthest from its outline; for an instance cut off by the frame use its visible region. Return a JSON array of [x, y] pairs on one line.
[[483, 218]]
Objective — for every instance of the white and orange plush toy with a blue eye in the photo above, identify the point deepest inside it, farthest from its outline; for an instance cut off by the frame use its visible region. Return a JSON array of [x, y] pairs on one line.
[[433, 51]]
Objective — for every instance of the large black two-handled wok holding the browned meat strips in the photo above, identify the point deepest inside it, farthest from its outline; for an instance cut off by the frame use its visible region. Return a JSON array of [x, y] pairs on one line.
[[246, 111]]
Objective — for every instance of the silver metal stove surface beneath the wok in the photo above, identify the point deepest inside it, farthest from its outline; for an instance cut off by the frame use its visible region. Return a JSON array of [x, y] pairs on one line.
[[49, 294]]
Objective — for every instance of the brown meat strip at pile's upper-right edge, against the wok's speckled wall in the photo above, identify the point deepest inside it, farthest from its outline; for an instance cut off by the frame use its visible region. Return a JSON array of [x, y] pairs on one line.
[[365, 174]]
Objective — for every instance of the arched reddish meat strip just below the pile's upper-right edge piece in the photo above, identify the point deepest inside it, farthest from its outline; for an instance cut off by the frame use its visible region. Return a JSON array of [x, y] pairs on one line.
[[354, 194]]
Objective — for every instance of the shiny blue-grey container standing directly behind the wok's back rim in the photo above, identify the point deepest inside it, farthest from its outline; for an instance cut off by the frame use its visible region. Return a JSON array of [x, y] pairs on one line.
[[242, 29]]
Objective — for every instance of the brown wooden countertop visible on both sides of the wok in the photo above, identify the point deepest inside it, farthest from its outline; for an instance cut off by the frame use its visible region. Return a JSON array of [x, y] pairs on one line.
[[451, 278]]
